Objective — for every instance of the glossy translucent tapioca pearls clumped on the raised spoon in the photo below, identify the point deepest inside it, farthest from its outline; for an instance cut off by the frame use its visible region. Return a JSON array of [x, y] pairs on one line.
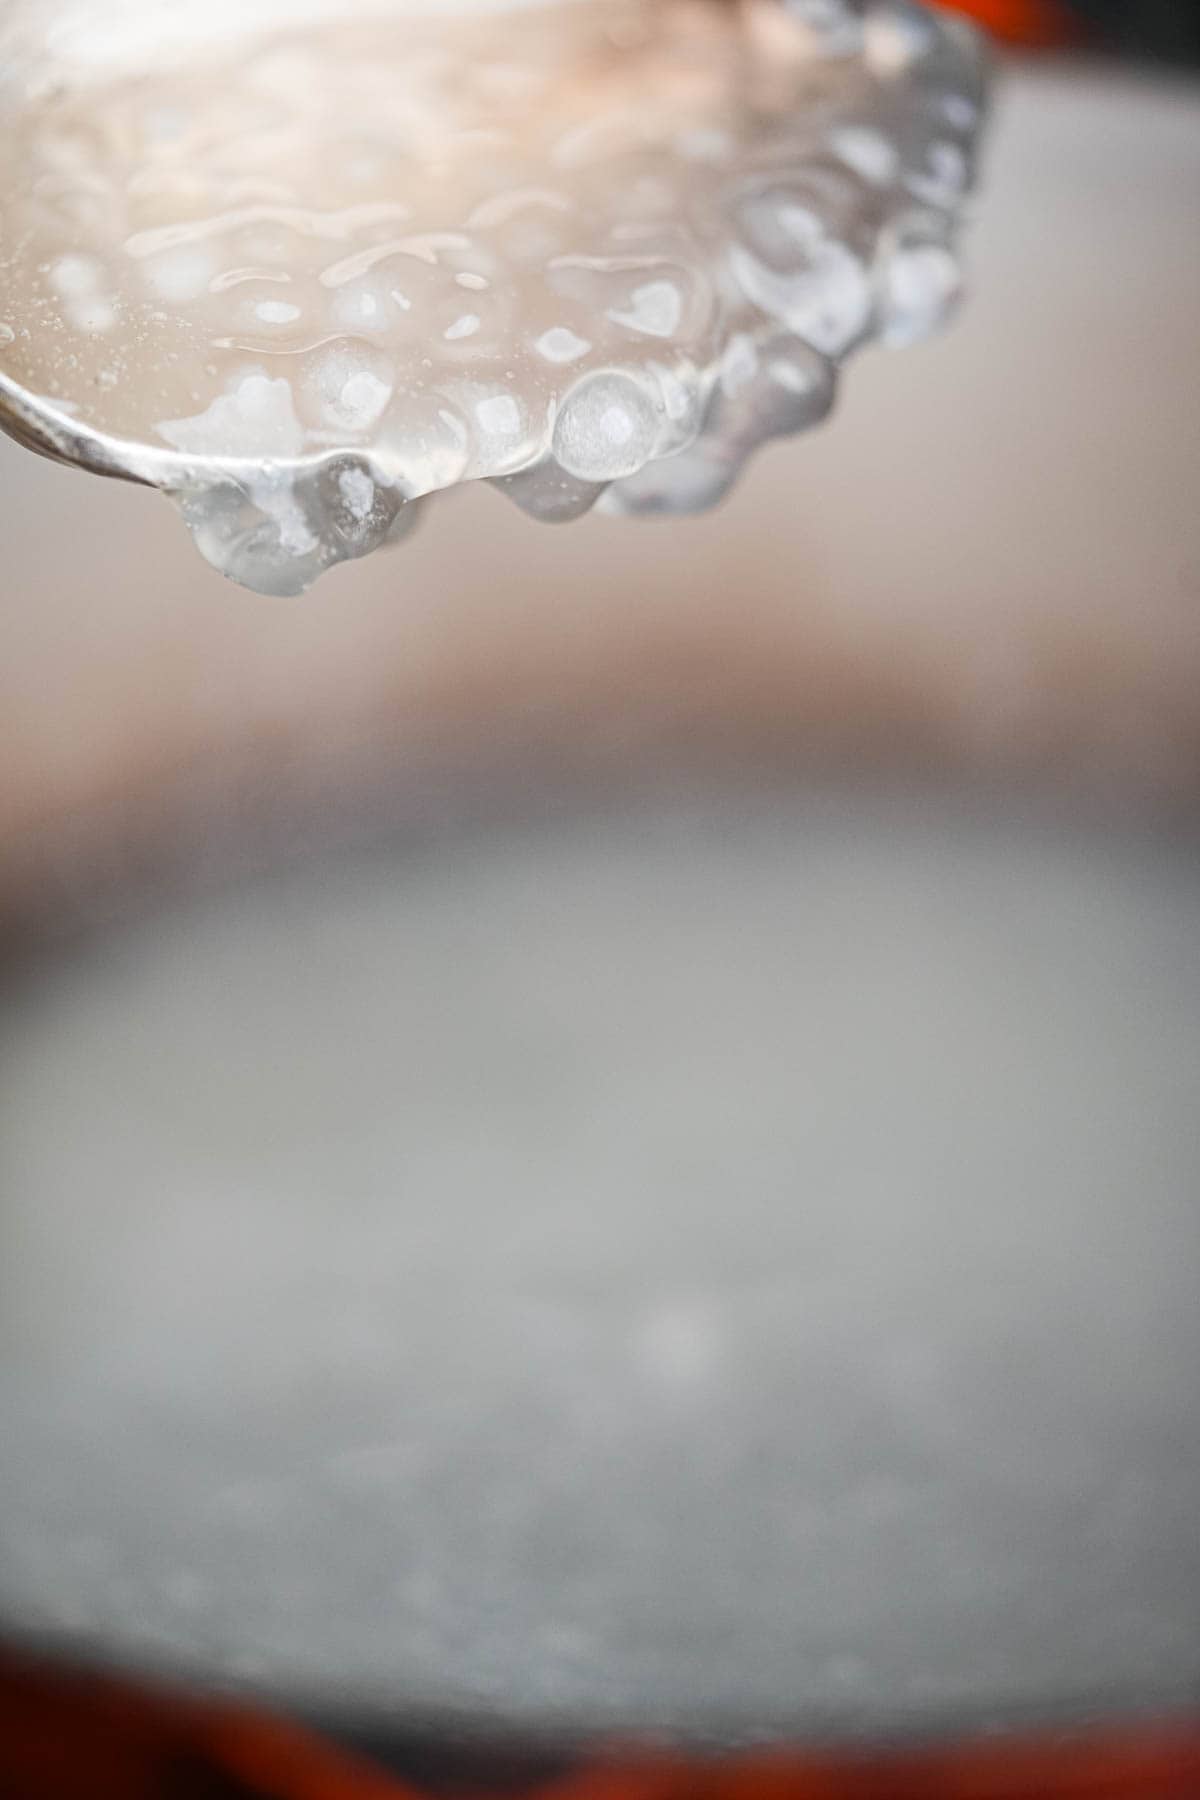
[[305, 274]]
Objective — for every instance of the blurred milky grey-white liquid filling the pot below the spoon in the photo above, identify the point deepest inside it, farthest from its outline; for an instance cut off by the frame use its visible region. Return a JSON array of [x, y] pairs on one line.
[[708, 1266]]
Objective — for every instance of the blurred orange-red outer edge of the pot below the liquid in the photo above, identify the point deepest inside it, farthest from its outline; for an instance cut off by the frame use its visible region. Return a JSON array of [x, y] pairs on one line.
[[66, 1736]]
